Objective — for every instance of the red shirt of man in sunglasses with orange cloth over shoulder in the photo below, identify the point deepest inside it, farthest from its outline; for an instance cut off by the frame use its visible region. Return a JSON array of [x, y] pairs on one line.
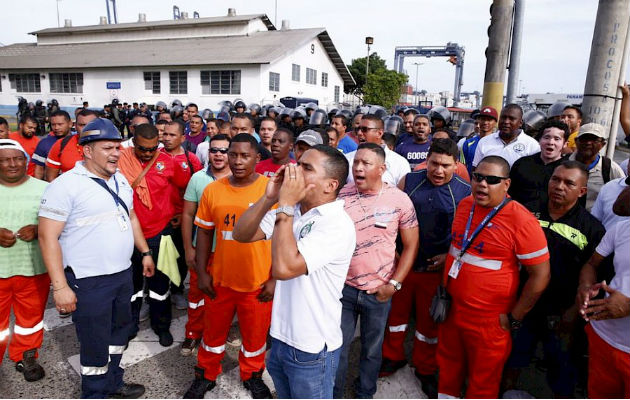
[[162, 181]]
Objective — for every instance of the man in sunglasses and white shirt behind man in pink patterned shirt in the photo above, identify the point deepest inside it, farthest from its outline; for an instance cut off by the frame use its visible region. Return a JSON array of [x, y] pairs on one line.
[[370, 130]]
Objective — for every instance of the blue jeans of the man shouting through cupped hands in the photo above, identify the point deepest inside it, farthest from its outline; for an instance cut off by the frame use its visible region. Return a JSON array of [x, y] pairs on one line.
[[300, 375]]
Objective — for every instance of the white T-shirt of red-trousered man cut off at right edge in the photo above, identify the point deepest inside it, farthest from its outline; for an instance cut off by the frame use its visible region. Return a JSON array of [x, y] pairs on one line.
[[617, 240]]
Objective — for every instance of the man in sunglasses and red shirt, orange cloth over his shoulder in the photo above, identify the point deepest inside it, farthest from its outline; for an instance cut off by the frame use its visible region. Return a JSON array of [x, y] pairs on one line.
[[153, 179]]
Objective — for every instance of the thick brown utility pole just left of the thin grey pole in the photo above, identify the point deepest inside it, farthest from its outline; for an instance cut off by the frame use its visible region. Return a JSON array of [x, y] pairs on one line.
[[497, 52]]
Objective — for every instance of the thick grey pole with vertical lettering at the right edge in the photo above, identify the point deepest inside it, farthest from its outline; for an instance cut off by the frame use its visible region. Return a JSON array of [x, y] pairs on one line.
[[606, 67]]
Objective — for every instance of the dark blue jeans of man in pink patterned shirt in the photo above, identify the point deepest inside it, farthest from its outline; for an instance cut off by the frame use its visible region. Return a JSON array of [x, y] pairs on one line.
[[373, 322]]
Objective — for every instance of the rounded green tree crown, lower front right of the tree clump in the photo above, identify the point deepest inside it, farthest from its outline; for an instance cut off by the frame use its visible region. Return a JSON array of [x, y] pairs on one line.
[[384, 88]]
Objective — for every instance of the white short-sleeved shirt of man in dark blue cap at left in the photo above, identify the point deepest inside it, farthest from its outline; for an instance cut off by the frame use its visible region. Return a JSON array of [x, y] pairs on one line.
[[93, 241]]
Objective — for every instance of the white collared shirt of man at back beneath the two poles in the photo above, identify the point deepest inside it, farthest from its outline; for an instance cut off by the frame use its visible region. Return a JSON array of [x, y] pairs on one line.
[[492, 145]]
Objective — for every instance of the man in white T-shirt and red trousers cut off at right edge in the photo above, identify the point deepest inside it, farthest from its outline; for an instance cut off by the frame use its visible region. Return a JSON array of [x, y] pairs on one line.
[[608, 339]]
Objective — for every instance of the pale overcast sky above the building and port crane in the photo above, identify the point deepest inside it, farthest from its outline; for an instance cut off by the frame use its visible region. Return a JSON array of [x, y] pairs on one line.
[[555, 51]]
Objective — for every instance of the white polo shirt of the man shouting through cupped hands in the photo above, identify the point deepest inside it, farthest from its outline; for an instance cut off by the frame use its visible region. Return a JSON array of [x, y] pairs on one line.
[[307, 309]]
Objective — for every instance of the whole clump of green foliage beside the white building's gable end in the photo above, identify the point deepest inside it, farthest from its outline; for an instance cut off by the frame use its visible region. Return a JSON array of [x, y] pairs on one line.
[[384, 86]]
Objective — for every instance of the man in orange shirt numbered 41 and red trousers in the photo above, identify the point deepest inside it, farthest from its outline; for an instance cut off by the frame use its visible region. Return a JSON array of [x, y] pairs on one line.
[[239, 279]]
